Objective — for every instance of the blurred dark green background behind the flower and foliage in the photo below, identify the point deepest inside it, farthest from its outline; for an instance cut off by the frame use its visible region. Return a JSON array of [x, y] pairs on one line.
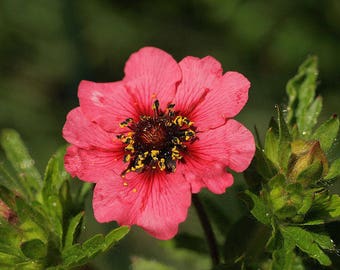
[[47, 47]]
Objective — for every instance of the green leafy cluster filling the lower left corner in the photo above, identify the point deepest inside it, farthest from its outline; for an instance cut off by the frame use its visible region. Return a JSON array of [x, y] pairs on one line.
[[40, 219]]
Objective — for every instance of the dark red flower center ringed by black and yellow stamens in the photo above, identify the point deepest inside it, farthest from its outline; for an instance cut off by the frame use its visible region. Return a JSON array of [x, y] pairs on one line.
[[156, 142]]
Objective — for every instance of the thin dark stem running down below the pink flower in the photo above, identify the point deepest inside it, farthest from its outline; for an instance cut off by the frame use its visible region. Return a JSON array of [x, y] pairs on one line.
[[209, 234]]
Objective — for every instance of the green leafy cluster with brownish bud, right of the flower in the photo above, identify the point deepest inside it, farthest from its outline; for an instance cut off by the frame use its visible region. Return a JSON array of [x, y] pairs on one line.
[[293, 197]]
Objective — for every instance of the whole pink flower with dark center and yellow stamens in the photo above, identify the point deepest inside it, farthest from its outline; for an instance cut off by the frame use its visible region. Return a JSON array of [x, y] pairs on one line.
[[162, 133]]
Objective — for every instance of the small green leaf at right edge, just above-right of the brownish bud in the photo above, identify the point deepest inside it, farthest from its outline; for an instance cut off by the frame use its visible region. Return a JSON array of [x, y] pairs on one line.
[[327, 133]]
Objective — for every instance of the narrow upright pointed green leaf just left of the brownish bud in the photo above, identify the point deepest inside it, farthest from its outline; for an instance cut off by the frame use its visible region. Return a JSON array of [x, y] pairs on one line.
[[284, 148]]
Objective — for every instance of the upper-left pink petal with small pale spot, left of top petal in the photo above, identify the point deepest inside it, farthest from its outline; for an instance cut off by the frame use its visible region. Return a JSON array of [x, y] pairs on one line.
[[106, 104]]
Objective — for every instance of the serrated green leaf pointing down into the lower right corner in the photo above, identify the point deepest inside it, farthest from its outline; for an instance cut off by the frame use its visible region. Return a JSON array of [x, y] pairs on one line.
[[307, 242]]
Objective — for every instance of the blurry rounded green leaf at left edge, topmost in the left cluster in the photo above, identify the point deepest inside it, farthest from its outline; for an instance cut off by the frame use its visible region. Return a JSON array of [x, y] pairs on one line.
[[17, 154]]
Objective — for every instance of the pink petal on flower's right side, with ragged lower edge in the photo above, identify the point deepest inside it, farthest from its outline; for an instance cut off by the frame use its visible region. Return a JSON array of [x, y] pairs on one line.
[[231, 145]]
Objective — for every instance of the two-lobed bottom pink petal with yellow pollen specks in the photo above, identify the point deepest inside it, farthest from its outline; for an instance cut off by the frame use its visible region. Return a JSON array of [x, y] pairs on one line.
[[157, 202]]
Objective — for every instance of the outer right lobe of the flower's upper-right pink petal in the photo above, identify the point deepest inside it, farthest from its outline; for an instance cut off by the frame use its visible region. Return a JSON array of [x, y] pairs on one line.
[[224, 101]]
